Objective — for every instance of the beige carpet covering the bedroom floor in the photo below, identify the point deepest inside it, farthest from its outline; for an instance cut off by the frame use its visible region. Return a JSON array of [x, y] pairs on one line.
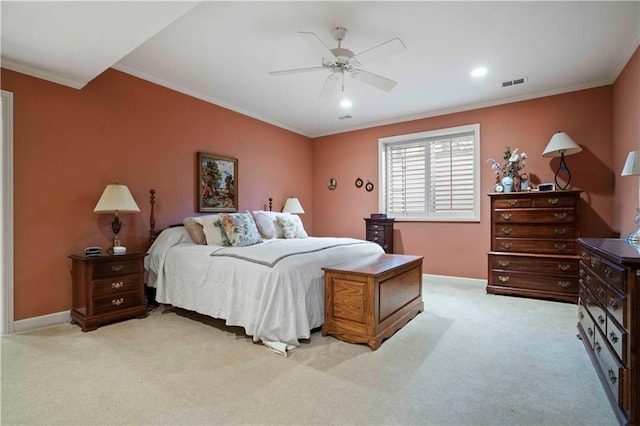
[[469, 359]]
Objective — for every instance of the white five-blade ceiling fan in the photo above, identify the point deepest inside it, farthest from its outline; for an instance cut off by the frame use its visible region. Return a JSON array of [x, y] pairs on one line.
[[341, 61]]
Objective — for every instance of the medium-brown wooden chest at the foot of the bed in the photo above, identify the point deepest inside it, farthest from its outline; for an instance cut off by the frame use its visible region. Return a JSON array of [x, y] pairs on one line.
[[367, 300]]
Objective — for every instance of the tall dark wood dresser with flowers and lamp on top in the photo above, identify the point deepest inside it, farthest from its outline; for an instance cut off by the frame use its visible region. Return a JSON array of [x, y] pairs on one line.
[[534, 248]]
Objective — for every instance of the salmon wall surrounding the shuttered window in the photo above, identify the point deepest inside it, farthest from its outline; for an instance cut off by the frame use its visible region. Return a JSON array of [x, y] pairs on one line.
[[459, 249]]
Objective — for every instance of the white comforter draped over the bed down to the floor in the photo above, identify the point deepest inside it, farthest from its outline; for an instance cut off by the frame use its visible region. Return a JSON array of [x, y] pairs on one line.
[[274, 290]]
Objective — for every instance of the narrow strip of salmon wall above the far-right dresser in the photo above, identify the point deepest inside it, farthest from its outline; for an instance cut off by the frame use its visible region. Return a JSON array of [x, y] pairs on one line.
[[626, 137]]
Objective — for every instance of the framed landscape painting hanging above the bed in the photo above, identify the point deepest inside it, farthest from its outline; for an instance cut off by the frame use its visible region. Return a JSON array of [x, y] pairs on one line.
[[217, 183]]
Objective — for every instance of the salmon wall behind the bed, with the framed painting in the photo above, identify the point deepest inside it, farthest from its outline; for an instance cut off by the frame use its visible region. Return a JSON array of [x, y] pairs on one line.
[[69, 144]]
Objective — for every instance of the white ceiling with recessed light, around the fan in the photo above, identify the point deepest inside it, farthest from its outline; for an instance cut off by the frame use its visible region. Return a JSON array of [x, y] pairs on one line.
[[222, 52]]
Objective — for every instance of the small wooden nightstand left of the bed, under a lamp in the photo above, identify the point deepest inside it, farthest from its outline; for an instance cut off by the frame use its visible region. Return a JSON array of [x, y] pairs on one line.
[[107, 288]]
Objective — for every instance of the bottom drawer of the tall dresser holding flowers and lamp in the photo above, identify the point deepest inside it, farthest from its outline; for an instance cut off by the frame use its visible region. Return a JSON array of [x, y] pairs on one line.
[[539, 282]]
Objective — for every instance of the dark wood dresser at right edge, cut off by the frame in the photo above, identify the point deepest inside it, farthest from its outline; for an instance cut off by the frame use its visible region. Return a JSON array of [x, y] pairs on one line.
[[608, 320]]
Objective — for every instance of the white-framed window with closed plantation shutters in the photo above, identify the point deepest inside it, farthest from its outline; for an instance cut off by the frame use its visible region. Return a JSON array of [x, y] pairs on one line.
[[431, 176]]
